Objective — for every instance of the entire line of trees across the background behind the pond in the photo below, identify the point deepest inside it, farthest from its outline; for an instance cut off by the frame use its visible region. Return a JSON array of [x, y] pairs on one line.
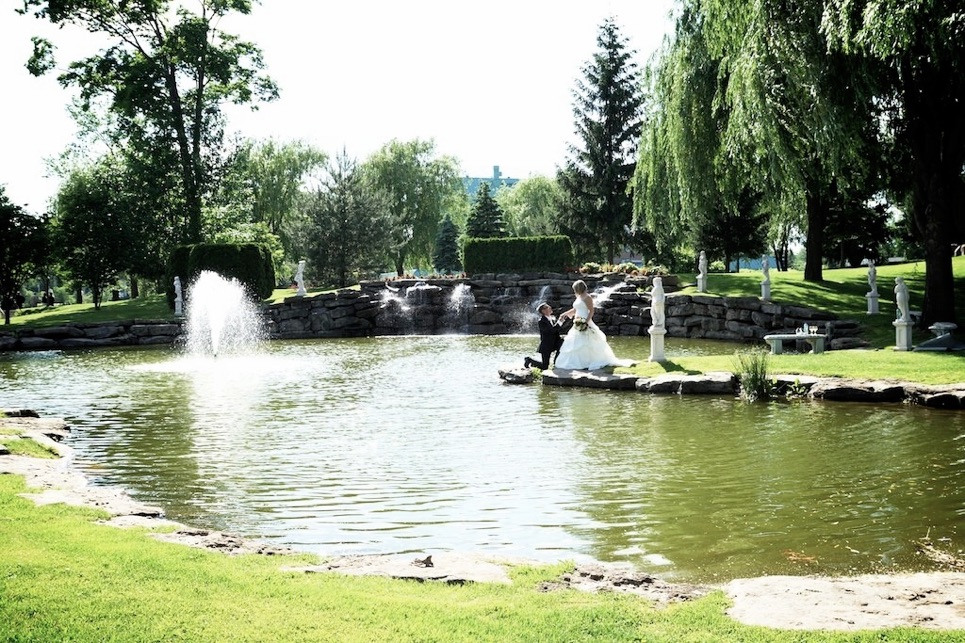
[[757, 127]]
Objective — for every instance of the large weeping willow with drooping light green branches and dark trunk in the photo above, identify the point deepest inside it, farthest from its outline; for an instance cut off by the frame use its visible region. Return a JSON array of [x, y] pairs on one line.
[[751, 114]]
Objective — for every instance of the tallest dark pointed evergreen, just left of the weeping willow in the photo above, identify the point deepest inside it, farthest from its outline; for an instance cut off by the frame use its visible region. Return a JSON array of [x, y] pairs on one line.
[[597, 211]]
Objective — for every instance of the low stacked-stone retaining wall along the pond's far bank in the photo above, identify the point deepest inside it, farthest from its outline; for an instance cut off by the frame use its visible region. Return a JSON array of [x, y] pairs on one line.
[[486, 304]]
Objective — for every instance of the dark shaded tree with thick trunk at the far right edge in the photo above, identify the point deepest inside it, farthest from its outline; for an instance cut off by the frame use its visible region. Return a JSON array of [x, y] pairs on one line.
[[919, 49]]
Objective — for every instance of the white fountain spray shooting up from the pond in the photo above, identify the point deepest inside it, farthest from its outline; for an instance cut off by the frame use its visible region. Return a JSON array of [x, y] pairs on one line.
[[222, 318]]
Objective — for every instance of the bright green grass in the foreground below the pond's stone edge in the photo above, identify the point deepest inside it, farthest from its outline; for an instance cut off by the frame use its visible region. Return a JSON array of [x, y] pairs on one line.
[[63, 577]]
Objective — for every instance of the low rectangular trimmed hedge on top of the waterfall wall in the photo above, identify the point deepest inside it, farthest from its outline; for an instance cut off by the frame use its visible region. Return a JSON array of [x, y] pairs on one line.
[[508, 254]]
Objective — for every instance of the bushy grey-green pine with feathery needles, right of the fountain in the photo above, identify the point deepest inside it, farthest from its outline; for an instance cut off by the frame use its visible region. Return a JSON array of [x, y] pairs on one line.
[[349, 223]]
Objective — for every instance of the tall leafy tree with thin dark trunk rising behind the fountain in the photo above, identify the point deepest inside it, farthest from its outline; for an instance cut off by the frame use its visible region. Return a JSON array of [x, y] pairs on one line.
[[167, 72]]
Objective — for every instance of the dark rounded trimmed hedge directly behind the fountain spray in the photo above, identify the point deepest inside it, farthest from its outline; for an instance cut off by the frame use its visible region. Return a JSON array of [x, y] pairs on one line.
[[249, 263]]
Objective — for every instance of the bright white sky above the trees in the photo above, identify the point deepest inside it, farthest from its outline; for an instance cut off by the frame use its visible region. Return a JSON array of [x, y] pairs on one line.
[[491, 83]]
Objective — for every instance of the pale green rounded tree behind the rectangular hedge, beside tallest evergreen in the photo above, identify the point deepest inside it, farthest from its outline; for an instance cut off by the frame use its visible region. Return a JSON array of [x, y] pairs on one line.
[[530, 207]]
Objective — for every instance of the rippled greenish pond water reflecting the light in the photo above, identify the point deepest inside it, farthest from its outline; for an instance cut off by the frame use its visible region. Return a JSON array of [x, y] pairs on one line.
[[413, 444]]
